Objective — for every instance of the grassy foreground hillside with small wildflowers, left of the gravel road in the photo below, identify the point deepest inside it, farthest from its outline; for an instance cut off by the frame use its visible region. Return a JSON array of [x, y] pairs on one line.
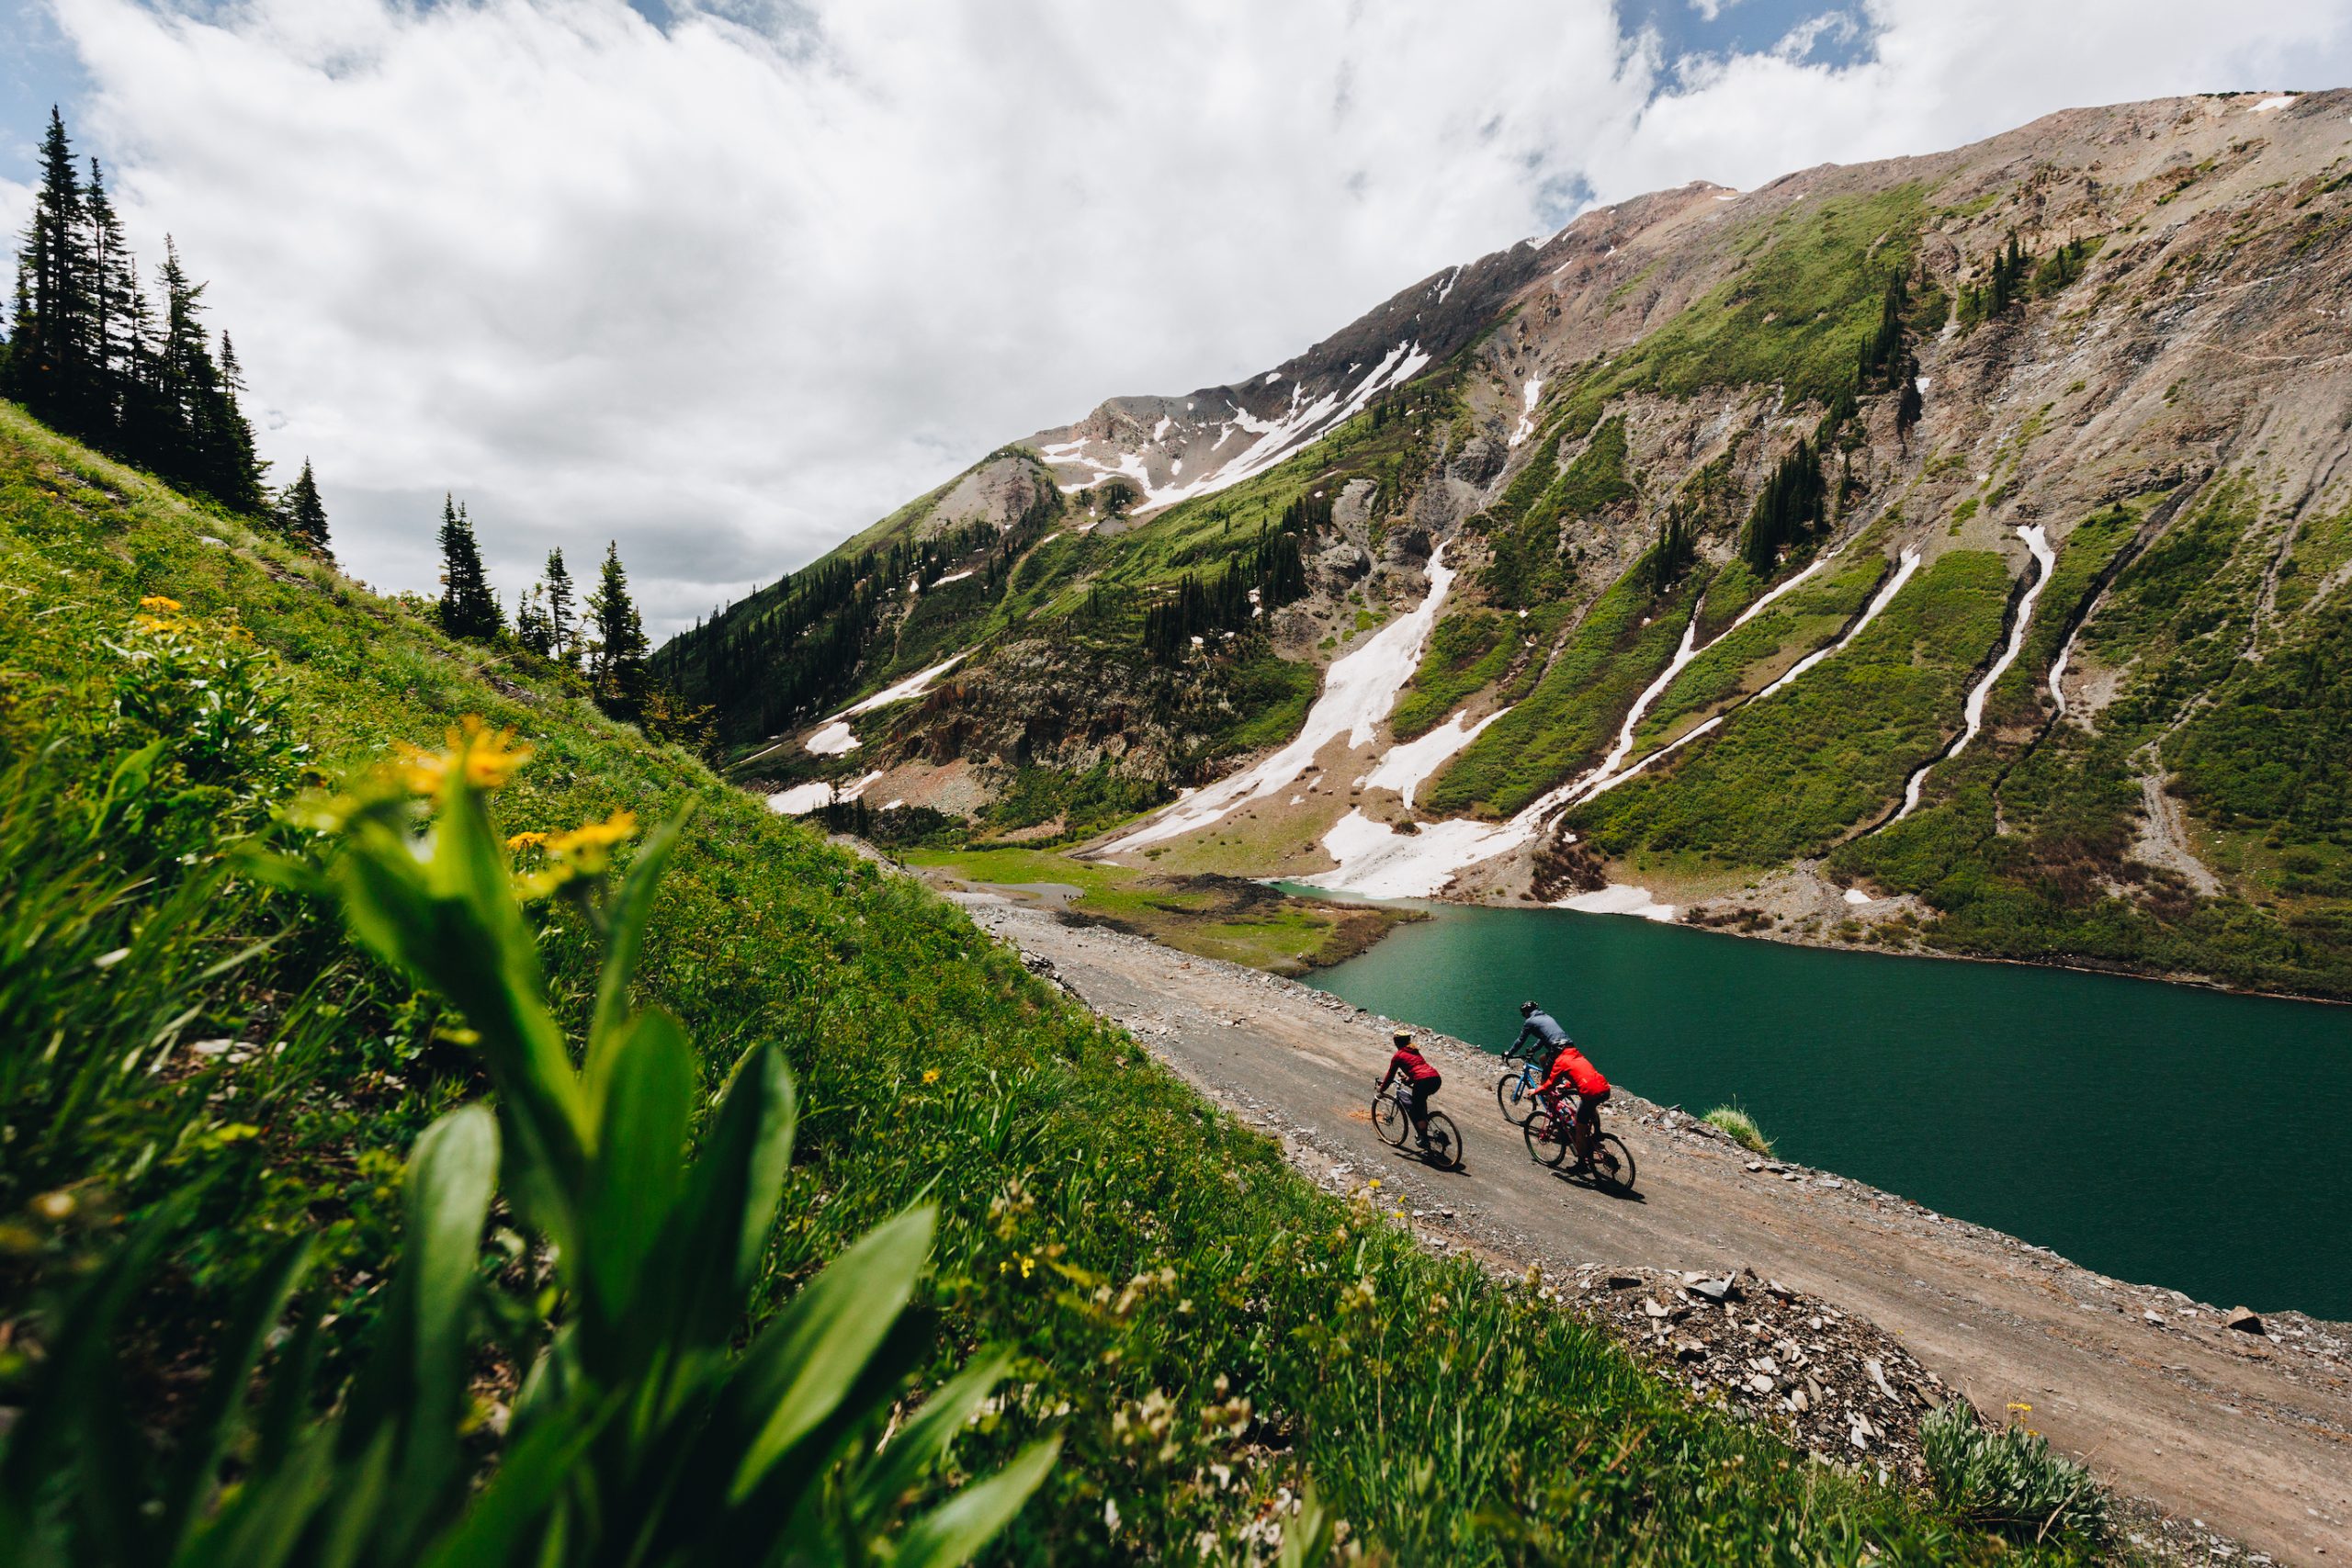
[[1198, 1320]]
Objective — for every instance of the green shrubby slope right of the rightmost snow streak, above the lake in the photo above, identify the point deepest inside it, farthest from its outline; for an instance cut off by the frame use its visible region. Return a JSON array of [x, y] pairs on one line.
[[2022, 843]]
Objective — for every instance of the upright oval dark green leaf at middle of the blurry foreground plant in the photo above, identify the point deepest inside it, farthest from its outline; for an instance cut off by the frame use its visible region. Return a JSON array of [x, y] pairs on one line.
[[639, 1162]]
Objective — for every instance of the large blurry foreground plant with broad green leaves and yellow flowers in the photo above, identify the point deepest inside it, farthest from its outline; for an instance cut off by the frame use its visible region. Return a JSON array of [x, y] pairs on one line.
[[641, 1435]]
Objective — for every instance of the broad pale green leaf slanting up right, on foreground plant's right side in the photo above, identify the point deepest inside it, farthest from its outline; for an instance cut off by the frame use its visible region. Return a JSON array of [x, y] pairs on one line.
[[815, 1353]]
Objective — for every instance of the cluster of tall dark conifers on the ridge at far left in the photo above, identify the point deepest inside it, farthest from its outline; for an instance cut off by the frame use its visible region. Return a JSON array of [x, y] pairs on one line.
[[133, 375]]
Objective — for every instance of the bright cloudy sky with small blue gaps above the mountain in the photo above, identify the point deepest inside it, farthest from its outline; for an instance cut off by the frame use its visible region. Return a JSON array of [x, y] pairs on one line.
[[728, 279]]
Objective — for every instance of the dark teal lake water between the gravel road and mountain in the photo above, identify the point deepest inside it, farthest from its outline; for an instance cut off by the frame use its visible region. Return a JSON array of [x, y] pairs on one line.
[[2151, 1132]]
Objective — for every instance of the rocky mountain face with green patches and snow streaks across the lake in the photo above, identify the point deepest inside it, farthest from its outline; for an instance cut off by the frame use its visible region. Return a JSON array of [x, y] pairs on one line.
[[1949, 551]]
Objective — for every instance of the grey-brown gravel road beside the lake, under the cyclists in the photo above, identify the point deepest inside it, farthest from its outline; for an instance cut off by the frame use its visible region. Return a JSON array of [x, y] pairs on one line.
[[2236, 1438]]
